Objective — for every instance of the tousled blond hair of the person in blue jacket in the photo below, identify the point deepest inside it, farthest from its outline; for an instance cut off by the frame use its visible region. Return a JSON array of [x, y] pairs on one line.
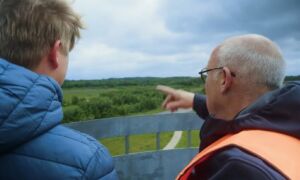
[[29, 28]]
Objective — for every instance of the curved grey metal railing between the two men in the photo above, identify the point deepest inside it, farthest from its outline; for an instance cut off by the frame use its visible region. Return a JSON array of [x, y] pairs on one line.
[[159, 164]]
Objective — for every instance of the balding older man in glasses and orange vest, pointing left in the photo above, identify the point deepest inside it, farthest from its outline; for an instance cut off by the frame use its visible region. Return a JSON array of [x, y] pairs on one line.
[[252, 127]]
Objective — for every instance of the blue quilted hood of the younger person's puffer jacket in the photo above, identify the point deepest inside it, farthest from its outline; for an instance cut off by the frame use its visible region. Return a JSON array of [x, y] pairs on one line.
[[30, 105]]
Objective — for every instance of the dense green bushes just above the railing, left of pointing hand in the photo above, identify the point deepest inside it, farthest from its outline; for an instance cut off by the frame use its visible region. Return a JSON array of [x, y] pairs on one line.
[[112, 103]]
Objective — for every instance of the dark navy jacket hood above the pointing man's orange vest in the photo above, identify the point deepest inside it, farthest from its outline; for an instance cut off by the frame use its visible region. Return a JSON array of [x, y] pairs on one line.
[[275, 111]]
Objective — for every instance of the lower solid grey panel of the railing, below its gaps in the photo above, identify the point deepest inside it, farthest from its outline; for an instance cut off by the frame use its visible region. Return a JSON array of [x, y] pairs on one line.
[[160, 165]]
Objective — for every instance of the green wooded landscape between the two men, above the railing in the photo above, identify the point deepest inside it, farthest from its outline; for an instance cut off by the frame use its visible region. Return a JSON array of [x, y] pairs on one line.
[[95, 99]]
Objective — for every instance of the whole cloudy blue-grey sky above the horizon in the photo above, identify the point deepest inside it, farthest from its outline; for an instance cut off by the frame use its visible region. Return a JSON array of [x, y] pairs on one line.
[[126, 38]]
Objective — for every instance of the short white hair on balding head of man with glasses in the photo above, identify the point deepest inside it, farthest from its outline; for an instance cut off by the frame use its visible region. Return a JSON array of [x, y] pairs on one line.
[[254, 58]]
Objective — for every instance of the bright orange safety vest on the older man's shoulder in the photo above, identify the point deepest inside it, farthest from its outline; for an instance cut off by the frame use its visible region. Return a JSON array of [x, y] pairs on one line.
[[279, 150]]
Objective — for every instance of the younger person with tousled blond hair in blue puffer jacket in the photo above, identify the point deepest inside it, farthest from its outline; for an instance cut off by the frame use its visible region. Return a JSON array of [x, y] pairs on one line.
[[35, 39]]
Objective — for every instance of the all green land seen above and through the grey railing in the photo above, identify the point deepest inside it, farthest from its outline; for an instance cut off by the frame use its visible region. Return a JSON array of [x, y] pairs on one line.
[[86, 100]]
